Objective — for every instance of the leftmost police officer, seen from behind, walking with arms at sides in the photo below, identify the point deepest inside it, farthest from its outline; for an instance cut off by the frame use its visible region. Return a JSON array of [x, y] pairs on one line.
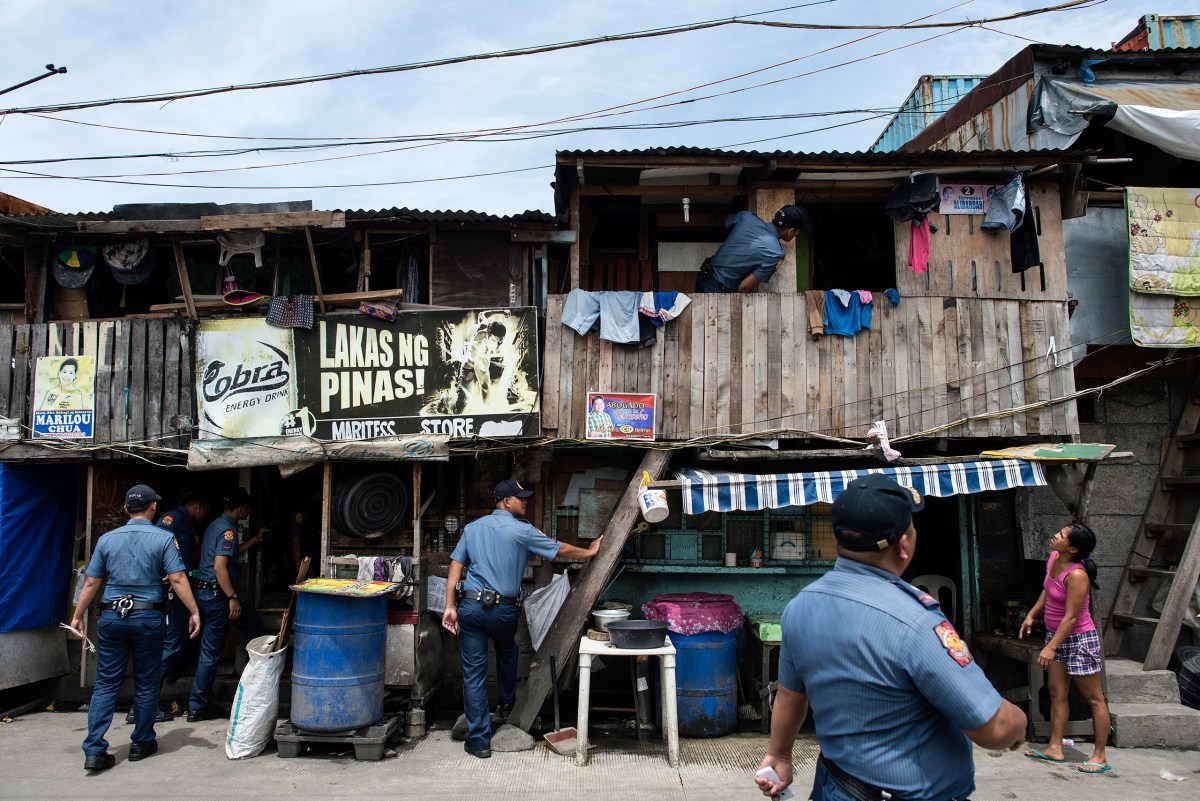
[[134, 559]]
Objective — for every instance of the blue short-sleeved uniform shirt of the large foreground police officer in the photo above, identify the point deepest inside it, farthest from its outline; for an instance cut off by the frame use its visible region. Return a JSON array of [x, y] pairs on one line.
[[891, 685]]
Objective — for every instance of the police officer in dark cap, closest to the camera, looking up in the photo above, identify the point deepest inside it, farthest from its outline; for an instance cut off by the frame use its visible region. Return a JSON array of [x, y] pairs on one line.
[[896, 696]]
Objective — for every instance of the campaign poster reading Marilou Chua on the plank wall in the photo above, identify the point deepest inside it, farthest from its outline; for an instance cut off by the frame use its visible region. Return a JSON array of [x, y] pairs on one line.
[[64, 398]]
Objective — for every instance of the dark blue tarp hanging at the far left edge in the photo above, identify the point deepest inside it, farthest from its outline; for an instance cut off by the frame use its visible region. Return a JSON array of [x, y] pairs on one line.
[[38, 511]]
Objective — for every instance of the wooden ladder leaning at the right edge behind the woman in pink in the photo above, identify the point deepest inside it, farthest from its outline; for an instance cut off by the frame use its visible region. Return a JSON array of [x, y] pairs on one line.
[[1167, 546]]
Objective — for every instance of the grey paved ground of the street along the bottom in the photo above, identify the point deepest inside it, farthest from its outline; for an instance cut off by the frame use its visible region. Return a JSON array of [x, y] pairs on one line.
[[40, 758]]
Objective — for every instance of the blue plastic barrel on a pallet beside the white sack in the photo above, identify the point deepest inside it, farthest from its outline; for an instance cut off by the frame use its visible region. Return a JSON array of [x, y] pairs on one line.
[[338, 664]]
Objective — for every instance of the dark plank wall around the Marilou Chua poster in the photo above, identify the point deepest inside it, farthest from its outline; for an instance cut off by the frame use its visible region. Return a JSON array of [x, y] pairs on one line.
[[143, 375]]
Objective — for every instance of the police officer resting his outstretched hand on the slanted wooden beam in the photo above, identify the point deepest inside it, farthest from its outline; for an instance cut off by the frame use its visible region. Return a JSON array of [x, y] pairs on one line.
[[494, 552]]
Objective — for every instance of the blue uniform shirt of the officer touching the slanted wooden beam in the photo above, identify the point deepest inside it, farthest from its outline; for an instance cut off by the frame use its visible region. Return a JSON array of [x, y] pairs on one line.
[[496, 550]]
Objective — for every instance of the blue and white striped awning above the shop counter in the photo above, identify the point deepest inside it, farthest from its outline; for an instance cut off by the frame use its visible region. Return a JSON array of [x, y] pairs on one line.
[[728, 492]]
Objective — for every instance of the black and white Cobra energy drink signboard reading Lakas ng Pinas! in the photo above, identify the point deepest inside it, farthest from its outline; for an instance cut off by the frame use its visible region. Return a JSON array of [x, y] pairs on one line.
[[458, 374]]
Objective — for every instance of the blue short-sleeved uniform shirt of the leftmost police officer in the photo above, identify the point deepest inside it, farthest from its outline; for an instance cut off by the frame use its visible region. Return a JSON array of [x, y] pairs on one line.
[[134, 559]]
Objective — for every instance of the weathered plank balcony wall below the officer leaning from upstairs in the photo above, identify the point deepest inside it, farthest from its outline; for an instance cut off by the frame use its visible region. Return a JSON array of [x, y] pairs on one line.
[[746, 364]]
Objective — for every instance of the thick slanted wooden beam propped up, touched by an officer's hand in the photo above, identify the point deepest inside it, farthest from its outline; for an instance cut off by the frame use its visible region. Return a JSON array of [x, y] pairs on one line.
[[563, 639]]
